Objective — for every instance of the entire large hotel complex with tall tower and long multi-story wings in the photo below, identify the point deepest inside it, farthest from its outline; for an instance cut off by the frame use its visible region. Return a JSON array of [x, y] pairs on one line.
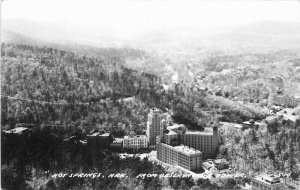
[[193, 144]]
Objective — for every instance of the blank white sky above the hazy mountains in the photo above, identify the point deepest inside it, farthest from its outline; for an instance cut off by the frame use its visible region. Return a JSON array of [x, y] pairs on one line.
[[131, 18]]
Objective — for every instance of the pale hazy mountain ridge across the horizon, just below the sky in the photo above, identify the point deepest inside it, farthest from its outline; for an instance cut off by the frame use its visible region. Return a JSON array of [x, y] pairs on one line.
[[260, 35]]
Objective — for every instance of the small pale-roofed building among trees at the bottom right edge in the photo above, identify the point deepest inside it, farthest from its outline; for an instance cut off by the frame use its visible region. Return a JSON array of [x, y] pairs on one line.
[[268, 182]]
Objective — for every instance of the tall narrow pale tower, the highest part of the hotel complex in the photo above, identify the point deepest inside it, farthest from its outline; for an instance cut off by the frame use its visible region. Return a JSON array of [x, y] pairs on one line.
[[153, 126]]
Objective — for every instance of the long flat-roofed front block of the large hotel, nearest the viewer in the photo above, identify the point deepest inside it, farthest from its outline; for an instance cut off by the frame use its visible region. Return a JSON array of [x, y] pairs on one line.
[[183, 156]]
